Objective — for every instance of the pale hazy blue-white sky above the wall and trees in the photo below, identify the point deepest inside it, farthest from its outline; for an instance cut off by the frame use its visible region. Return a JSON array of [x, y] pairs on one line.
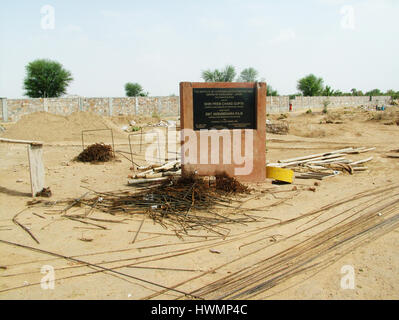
[[351, 44]]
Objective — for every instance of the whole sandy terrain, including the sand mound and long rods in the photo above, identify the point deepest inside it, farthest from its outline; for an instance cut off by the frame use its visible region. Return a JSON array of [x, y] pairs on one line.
[[291, 249]]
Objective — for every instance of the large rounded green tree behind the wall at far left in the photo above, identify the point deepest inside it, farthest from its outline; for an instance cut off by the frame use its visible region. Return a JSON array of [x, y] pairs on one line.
[[46, 79]]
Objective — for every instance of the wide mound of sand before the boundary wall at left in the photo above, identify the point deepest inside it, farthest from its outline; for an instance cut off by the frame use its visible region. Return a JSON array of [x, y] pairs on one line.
[[47, 127]]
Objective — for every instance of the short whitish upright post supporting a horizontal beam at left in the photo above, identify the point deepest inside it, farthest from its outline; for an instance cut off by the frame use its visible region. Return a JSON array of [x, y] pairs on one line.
[[36, 166]]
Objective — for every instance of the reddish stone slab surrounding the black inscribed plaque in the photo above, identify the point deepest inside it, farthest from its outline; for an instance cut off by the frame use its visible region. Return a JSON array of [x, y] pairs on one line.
[[218, 151]]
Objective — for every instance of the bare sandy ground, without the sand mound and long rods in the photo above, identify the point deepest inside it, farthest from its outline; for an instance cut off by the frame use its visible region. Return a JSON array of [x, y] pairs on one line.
[[375, 262]]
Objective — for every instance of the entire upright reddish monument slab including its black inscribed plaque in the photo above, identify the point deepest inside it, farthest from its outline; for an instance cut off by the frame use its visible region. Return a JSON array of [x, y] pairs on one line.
[[223, 129]]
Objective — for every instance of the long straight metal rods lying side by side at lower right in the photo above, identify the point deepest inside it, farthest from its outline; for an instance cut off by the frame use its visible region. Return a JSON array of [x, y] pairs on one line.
[[312, 254]]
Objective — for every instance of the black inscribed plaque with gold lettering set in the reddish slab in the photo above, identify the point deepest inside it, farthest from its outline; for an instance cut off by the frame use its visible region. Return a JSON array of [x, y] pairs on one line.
[[224, 108]]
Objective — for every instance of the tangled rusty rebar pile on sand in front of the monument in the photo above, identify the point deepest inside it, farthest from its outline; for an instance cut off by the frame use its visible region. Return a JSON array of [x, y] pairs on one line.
[[184, 204]]
